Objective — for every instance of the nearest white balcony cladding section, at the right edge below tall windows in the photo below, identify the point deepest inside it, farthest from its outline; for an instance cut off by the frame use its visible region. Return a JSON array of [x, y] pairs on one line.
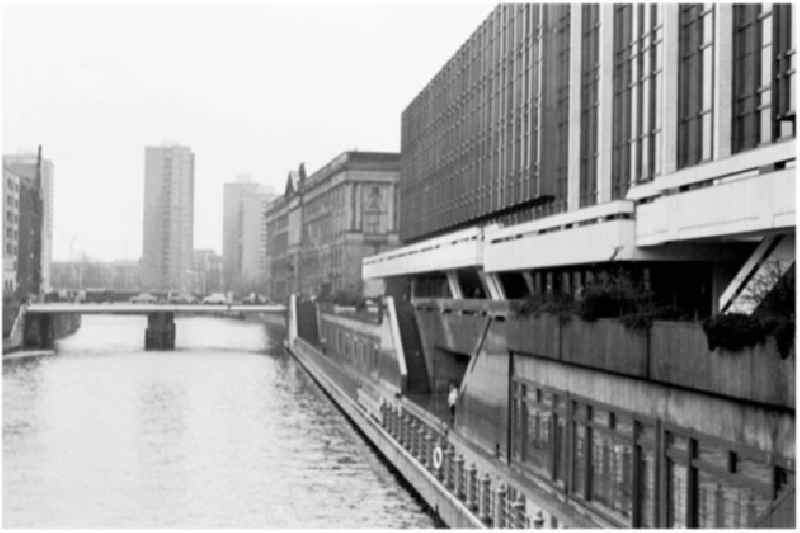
[[734, 206]]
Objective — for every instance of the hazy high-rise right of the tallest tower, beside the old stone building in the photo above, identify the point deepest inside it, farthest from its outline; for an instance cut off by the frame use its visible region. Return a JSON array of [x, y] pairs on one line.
[[244, 233]]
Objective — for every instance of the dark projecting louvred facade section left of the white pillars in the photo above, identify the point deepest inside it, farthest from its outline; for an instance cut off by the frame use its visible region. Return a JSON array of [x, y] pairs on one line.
[[471, 139]]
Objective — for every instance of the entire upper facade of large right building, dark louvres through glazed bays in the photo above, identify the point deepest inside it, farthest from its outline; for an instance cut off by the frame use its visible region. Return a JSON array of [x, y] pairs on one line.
[[487, 140]]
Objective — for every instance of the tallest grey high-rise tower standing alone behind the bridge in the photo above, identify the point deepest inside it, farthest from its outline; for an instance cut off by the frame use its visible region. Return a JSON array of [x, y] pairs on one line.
[[167, 259]]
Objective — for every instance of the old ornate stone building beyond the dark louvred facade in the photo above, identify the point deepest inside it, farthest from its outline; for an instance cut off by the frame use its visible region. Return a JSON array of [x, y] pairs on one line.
[[326, 223]]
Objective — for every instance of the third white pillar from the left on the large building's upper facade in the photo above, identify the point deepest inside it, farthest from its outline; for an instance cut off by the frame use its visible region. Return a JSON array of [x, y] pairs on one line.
[[669, 120]]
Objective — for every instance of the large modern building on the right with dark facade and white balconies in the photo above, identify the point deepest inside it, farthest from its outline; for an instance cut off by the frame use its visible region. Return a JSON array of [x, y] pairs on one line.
[[568, 151]]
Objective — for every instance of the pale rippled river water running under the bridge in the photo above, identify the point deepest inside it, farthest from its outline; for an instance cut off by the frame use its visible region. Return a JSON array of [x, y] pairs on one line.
[[226, 431]]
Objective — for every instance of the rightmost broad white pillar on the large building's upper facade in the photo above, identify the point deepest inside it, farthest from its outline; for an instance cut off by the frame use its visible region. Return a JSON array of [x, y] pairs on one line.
[[723, 78]]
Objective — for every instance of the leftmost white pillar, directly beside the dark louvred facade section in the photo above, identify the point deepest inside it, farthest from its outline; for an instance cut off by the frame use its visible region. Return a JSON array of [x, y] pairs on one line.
[[574, 133]]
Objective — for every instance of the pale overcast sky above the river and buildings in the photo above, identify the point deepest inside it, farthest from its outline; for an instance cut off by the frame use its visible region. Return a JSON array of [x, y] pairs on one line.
[[251, 88]]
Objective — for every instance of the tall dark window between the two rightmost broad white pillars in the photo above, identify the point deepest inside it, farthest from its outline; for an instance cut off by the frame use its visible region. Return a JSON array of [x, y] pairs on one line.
[[695, 83]]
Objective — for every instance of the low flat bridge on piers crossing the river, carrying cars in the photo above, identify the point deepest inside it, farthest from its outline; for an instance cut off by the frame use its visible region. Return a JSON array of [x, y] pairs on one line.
[[160, 332]]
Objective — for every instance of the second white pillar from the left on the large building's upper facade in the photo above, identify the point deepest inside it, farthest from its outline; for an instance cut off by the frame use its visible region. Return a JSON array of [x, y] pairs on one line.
[[605, 103]]
